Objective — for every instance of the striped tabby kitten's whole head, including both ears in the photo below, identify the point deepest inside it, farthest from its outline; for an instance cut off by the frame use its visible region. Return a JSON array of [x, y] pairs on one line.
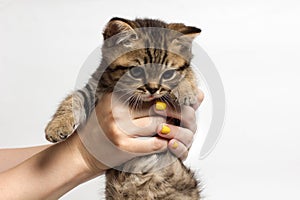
[[147, 58]]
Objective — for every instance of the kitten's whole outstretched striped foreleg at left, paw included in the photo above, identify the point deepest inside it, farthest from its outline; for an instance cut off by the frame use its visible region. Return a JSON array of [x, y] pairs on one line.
[[74, 110]]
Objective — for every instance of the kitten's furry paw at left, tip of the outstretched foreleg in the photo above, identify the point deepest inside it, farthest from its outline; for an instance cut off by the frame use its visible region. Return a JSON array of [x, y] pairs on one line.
[[59, 128]]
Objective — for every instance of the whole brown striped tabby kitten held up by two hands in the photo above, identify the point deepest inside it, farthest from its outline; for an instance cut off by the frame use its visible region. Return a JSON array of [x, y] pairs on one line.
[[147, 60]]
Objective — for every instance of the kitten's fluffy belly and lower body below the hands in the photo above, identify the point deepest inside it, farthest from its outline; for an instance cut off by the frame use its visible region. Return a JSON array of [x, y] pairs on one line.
[[173, 182]]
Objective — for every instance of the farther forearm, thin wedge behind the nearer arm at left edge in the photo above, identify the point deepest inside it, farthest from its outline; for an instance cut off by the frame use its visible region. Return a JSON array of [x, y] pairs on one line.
[[12, 157]]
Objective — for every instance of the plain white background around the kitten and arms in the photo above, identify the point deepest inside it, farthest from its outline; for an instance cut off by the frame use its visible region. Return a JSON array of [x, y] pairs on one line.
[[254, 44]]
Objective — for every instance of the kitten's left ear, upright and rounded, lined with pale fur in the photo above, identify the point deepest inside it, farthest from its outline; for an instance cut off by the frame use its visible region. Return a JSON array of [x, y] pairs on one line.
[[122, 30]]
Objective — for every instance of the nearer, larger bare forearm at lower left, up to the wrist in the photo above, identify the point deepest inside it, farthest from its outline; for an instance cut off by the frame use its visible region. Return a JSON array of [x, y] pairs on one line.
[[46, 175]]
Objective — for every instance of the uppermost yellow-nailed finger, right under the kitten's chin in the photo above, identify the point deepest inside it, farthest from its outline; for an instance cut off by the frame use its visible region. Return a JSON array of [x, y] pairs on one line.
[[187, 116]]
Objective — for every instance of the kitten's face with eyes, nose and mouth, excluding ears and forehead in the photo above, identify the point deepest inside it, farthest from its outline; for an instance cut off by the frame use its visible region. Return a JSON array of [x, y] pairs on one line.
[[147, 81]]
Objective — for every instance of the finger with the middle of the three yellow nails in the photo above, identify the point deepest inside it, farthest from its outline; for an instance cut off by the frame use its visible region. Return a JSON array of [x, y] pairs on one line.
[[169, 131]]
